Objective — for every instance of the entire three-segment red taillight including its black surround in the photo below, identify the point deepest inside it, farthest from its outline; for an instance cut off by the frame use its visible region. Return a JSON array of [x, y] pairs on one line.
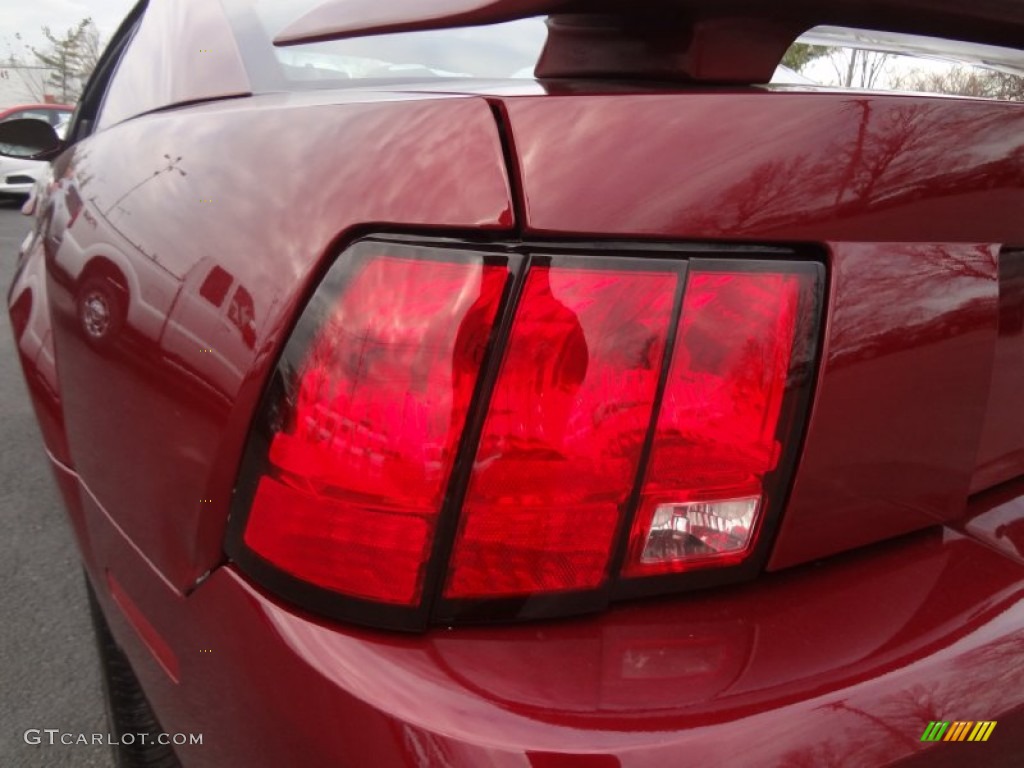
[[510, 433]]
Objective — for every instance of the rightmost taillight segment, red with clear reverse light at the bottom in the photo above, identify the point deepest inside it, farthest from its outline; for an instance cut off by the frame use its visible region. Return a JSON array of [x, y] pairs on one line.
[[717, 434]]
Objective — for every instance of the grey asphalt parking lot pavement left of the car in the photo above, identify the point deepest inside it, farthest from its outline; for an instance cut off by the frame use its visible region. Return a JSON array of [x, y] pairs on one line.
[[49, 667]]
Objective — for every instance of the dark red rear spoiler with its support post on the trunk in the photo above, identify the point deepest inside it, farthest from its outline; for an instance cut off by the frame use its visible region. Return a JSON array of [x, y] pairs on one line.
[[715, 41]]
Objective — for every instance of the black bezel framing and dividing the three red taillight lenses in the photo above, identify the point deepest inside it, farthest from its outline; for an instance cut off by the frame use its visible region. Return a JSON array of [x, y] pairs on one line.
[[519, 255]]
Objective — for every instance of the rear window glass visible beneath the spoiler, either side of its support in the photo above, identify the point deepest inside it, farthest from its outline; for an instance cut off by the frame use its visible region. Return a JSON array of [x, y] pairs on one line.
[[825, 57]]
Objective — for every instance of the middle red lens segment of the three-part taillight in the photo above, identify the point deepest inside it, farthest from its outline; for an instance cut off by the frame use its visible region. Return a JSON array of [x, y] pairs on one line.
[[563, 440]]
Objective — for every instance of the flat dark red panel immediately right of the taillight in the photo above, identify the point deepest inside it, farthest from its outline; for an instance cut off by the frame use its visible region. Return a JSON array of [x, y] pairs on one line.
[[893, 438]]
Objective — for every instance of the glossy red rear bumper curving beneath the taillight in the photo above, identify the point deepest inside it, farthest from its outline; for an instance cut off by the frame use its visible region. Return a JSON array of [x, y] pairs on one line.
[[841, 663]]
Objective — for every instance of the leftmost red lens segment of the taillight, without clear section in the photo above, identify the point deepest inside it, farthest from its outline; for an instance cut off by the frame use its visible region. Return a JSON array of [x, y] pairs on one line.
[[358, 475]]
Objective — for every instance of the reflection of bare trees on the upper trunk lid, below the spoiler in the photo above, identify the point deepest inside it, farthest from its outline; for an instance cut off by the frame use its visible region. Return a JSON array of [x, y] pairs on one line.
[[886, 157]]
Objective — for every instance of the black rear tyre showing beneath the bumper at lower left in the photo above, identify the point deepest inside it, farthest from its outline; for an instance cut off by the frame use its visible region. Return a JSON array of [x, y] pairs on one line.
[[127, 709]]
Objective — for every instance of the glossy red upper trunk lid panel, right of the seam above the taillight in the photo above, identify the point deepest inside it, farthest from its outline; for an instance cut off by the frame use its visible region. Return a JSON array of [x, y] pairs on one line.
[[754, 165]]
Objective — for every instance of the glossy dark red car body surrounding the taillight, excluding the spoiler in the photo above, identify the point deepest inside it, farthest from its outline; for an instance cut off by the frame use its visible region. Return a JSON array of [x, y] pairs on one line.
[[893, 594]]
